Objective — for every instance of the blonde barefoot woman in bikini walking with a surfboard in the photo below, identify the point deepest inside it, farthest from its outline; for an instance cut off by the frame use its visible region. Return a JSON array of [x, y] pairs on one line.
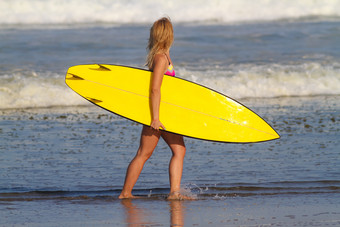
[[158, 61]]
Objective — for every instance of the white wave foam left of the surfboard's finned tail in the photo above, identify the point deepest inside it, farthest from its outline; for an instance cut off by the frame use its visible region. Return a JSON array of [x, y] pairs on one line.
[[36, 90]]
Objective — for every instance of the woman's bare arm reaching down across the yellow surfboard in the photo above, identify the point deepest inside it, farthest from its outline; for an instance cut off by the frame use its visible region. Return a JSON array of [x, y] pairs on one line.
[[160, 66]]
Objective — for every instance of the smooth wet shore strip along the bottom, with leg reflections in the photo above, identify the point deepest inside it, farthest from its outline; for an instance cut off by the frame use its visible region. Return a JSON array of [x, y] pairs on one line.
[[289, 210]]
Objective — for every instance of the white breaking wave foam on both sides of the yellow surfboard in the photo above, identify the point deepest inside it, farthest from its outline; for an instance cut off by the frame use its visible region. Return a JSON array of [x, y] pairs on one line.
[[33, 89]]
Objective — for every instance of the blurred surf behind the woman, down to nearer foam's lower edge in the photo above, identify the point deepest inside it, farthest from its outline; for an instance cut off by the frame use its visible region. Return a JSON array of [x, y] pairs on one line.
[[241, 48]]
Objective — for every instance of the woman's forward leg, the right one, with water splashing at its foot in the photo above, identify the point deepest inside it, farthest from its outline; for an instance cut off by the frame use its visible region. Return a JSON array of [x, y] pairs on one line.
[[176, 143]]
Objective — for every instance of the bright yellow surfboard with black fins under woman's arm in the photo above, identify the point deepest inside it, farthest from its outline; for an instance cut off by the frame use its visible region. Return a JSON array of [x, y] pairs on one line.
[[186, 108]]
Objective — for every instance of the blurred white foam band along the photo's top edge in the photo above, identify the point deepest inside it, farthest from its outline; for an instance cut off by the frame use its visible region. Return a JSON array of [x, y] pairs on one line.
[[146, 11]]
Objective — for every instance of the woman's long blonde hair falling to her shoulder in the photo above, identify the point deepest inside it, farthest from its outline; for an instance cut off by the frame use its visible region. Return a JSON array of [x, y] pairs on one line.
[[161, 39]]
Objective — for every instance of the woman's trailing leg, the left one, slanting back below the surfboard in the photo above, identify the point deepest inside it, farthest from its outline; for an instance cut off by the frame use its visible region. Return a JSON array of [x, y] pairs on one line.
[[148, 142]]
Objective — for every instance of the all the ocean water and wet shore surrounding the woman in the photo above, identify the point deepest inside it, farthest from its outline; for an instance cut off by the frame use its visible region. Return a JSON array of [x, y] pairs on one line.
[[63, 160]]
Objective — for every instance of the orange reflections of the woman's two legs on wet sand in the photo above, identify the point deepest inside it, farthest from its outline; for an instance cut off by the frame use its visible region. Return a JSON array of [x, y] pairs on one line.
[[137, 216]]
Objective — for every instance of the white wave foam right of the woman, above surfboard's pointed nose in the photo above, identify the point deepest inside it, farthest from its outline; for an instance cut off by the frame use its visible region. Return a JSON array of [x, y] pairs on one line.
[[267, 81]]
